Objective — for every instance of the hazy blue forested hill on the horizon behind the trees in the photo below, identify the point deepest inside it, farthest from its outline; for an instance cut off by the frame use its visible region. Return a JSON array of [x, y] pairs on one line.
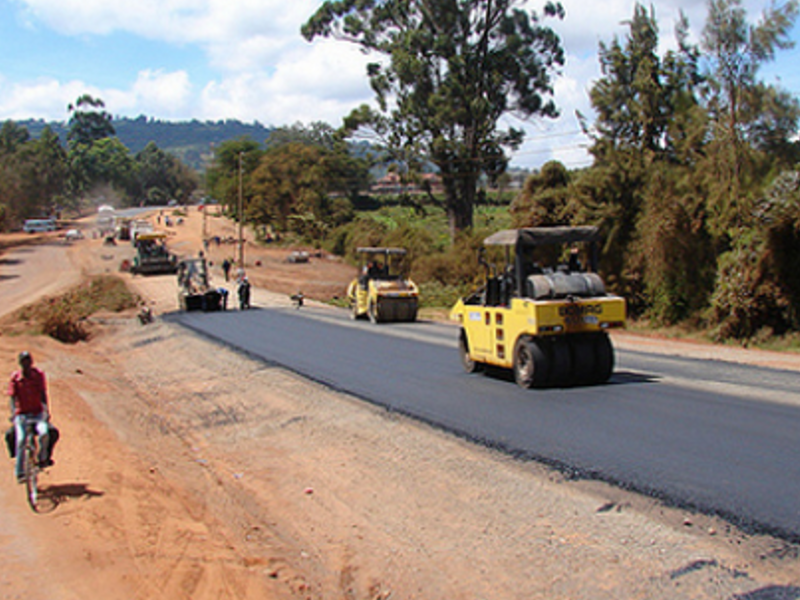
[[191, 141]]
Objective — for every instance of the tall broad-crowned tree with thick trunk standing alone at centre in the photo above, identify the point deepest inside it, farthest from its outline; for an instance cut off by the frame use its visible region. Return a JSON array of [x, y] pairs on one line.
[[450, 72]]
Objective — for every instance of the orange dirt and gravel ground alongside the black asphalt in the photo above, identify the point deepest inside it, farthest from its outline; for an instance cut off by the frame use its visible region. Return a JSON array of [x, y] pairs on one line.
[[187, 470]]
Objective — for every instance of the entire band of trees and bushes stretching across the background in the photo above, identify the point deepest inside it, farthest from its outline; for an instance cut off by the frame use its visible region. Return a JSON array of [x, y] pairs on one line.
[[695, 180]]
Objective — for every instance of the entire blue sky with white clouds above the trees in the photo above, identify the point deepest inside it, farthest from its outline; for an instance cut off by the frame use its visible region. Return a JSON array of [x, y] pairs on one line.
[[246, 60]]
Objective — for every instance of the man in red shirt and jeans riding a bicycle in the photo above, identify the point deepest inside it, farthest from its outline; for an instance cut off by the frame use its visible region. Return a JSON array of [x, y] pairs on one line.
[[28, 392]]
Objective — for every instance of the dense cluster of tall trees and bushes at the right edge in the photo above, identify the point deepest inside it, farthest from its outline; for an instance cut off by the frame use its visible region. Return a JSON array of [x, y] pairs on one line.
[[687, 146]]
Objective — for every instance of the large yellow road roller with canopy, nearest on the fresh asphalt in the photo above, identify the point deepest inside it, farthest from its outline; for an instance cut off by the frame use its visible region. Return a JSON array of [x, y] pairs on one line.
[[546, 314]]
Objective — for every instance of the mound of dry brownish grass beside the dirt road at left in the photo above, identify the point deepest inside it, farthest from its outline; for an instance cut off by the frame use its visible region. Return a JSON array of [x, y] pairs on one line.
[[65, 317]]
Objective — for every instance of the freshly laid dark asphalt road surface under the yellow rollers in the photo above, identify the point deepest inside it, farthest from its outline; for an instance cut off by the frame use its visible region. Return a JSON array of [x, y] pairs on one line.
[[705, 435]]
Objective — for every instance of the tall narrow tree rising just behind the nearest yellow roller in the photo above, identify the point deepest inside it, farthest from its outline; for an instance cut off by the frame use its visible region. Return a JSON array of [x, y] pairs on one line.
[[648, 138]]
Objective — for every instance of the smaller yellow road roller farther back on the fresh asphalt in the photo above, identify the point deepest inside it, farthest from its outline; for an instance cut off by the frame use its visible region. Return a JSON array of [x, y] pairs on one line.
[[383, 292]]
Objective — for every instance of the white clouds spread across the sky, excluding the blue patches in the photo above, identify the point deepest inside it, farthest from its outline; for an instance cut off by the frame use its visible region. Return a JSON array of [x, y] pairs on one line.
[[262, 69]]
